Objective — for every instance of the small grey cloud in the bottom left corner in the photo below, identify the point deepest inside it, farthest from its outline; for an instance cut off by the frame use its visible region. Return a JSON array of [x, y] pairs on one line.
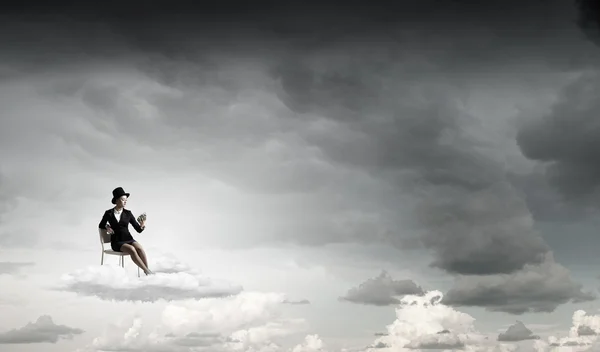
[[43, 330]]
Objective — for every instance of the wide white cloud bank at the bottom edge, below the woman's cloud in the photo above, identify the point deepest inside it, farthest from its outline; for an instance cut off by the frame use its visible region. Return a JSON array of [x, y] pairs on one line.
[[250, 321]]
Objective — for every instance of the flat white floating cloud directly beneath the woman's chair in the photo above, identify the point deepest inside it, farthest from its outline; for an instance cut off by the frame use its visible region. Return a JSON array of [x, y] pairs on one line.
[[173, 281]]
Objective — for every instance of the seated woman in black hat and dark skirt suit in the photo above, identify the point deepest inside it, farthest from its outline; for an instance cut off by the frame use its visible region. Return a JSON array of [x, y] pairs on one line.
[[116, 221]]
